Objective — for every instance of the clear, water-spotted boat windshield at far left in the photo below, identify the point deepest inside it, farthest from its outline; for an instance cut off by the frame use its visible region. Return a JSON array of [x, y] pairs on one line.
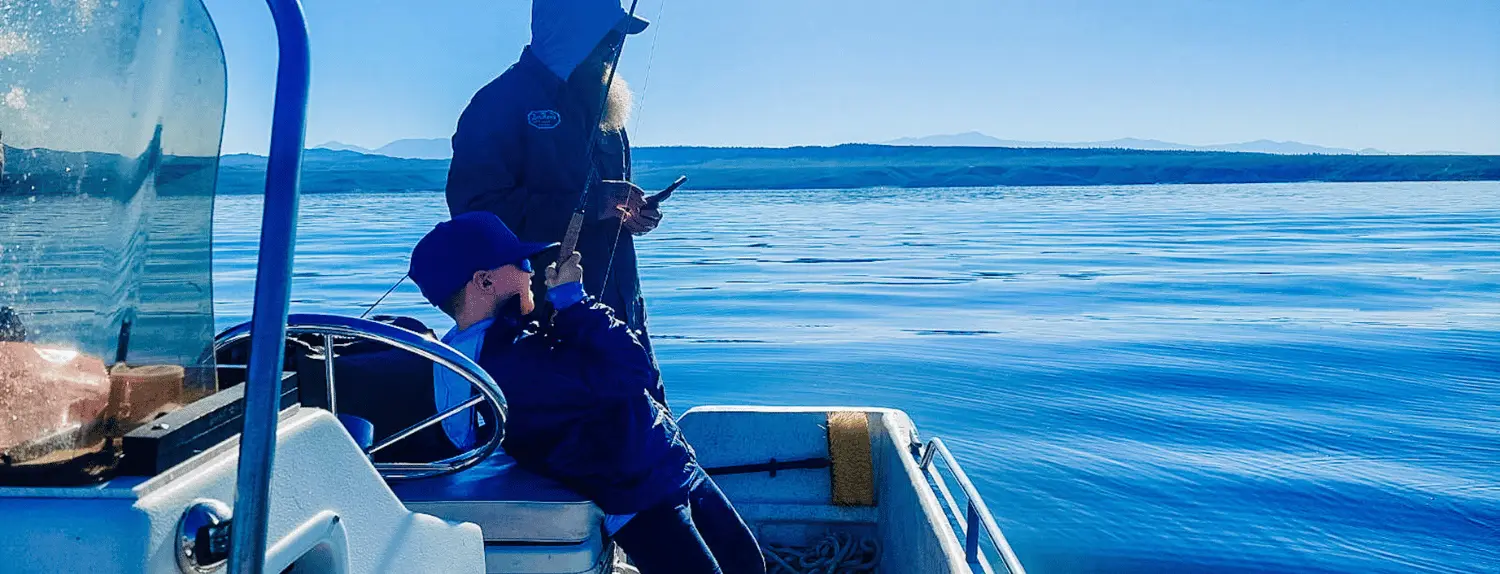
[[110, 121]]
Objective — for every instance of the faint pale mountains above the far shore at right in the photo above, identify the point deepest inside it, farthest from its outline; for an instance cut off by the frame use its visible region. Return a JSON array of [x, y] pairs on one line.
[[1259, 146]]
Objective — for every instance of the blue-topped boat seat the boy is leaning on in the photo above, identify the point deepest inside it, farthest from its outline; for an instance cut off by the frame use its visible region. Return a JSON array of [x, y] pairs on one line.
[[509, 504]]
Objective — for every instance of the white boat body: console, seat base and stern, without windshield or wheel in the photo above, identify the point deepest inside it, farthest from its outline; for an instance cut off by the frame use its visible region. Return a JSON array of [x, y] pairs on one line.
[[332, 513]]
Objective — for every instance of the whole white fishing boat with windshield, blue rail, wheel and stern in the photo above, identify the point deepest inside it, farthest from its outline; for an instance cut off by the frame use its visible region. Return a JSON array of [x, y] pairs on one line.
[[137, 440]]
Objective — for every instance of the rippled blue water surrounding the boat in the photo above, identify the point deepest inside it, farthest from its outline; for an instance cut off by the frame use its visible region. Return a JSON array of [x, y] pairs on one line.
[[1163, 378]]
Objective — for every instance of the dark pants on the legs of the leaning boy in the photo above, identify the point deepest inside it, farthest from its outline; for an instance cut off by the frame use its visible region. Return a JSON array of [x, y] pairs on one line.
[[704, 536]]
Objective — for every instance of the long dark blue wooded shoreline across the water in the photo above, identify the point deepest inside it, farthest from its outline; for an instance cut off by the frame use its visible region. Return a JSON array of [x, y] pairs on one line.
[[868, 166]]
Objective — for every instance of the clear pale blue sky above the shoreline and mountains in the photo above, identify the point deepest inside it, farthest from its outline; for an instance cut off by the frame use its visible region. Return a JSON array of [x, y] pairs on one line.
[[1396, 76]]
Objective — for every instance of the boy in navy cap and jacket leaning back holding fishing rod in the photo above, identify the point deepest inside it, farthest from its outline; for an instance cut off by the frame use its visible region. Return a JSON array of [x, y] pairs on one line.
[[581, 404]]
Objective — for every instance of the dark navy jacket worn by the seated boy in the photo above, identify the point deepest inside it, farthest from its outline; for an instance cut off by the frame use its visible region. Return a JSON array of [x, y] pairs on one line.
[[586, 411]]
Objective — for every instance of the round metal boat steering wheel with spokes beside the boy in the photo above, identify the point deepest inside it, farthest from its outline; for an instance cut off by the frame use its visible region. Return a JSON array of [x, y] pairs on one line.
[[439, 353]]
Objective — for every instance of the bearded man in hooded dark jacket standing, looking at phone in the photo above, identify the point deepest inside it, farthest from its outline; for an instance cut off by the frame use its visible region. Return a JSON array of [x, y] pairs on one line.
[[521, 149]]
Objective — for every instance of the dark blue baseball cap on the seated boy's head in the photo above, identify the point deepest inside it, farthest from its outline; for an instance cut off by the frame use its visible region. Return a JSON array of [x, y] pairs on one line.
[[449, 256]]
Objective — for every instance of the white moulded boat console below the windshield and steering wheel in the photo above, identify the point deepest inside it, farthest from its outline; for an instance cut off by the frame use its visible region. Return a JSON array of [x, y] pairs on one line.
[[331, 513]]
